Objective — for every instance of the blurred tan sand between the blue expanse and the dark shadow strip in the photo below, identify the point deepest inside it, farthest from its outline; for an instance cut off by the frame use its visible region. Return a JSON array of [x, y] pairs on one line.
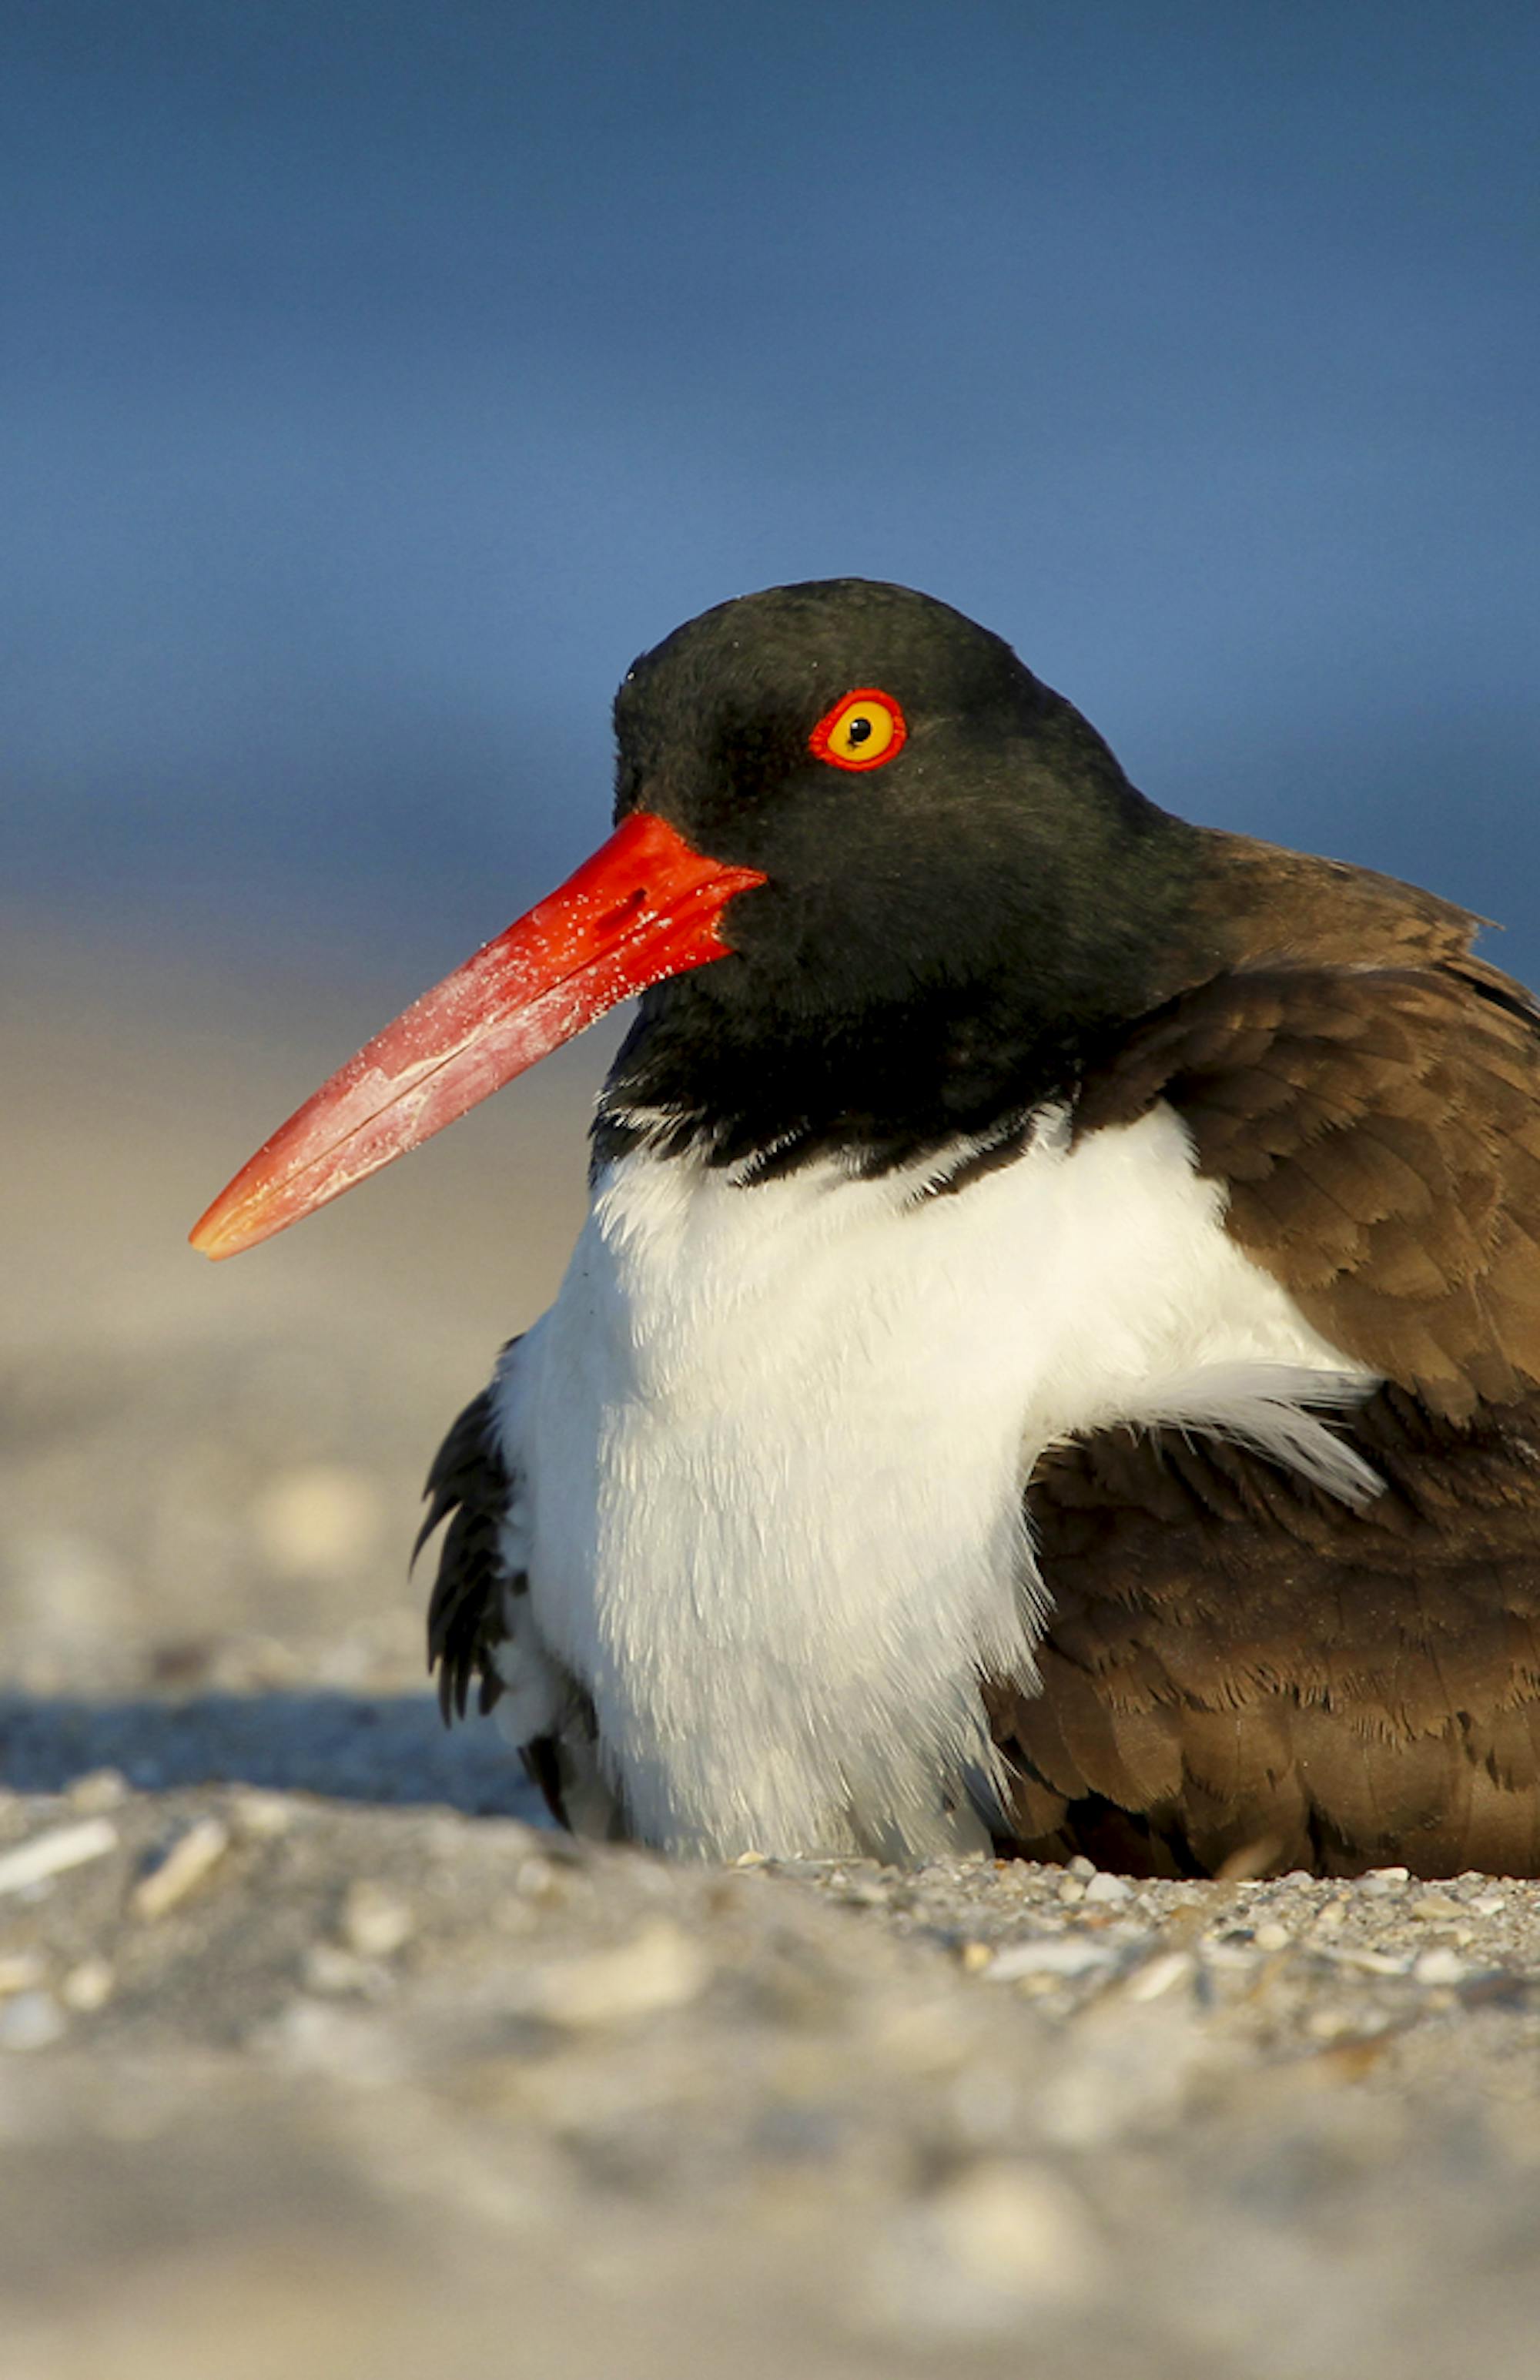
[[211, 1474]]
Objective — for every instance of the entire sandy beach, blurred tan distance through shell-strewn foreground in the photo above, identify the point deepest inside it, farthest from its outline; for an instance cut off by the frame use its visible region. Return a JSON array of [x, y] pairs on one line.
[[323, 2055]]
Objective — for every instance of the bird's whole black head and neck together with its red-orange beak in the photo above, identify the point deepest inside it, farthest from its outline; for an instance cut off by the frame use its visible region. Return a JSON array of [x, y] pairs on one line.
[[863, 863]]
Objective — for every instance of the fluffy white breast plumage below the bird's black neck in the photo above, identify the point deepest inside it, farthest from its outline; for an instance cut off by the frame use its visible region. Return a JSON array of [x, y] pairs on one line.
[[775, 1443]]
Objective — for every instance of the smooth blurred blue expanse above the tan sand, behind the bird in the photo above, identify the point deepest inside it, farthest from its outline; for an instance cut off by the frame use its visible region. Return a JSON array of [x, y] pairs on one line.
[[380, 380]]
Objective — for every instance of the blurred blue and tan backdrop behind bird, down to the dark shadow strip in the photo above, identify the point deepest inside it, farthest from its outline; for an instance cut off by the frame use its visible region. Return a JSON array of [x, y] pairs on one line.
[[380, 380]]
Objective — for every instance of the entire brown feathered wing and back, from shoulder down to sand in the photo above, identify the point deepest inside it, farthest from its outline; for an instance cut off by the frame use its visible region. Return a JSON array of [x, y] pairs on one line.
[[1237, 1660]]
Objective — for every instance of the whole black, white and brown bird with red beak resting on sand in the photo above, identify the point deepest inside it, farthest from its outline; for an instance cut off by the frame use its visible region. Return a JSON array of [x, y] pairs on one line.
[[1053, 1358]]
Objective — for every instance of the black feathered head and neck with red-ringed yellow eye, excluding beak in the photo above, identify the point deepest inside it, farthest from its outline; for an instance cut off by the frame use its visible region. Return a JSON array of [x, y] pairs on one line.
[[963, 891]]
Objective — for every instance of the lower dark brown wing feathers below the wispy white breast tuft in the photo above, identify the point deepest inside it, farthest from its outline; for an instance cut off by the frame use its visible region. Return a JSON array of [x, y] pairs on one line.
[[1239, 1665]]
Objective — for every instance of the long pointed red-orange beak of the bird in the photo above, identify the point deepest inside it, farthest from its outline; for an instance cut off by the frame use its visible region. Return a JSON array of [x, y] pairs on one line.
[[644, 908]]
